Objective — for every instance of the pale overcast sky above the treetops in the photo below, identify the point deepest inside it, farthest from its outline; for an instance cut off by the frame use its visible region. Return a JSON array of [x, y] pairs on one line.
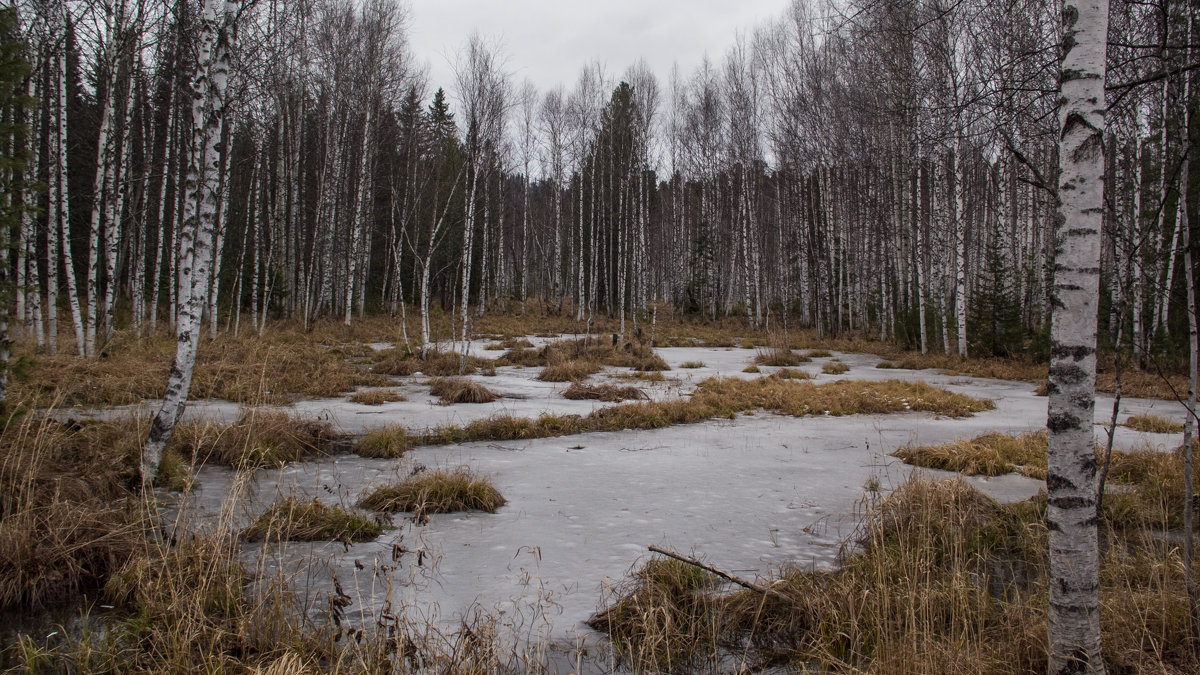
[[549, 41]]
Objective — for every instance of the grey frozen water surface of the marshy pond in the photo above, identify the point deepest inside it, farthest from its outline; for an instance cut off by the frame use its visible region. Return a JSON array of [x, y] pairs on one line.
[[748, 495]]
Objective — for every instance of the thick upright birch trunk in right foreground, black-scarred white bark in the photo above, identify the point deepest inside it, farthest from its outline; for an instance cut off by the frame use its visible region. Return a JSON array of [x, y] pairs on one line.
[[1075, 617]]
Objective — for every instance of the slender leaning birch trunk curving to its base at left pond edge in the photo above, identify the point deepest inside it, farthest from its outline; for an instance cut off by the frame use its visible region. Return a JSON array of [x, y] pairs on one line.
[[200, 223]]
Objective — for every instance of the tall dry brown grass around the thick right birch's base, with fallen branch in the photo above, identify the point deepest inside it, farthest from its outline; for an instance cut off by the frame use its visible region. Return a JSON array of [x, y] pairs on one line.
[[939, 580]]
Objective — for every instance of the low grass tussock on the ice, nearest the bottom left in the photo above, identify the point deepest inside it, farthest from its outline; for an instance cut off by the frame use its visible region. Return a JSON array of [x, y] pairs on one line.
[[298, 521]]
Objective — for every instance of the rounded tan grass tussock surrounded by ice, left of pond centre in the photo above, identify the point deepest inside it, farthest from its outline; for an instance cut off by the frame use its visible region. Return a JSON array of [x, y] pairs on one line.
[[437, 492]]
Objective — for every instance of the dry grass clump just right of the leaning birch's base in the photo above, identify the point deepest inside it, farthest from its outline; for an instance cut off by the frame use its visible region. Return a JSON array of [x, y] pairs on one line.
[[259, 439]]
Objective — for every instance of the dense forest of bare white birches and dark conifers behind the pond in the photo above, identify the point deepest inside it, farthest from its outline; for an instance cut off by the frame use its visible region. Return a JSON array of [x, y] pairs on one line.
[[875, 168]]
